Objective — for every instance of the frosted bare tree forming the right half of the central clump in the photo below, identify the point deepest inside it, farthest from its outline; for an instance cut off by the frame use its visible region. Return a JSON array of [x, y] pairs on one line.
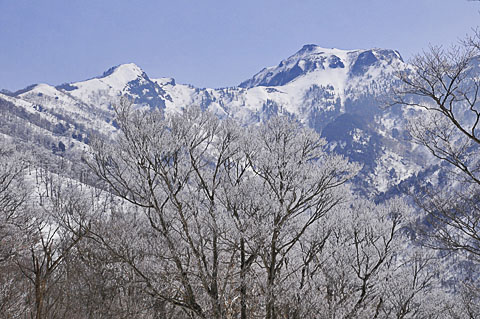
[[300, 184]]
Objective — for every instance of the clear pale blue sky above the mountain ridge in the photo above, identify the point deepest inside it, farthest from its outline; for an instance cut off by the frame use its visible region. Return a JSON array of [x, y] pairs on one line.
[[208, 43]]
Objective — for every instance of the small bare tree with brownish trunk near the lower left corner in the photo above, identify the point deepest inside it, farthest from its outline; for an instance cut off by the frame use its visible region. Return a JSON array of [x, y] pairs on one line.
[[57, 226]]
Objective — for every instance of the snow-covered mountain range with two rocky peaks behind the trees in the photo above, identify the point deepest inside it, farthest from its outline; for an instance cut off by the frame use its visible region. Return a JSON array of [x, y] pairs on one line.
[[333, 91]]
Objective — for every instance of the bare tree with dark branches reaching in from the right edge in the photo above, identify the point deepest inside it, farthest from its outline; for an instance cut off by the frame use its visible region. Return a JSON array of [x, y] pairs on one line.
[[443, 85]]
